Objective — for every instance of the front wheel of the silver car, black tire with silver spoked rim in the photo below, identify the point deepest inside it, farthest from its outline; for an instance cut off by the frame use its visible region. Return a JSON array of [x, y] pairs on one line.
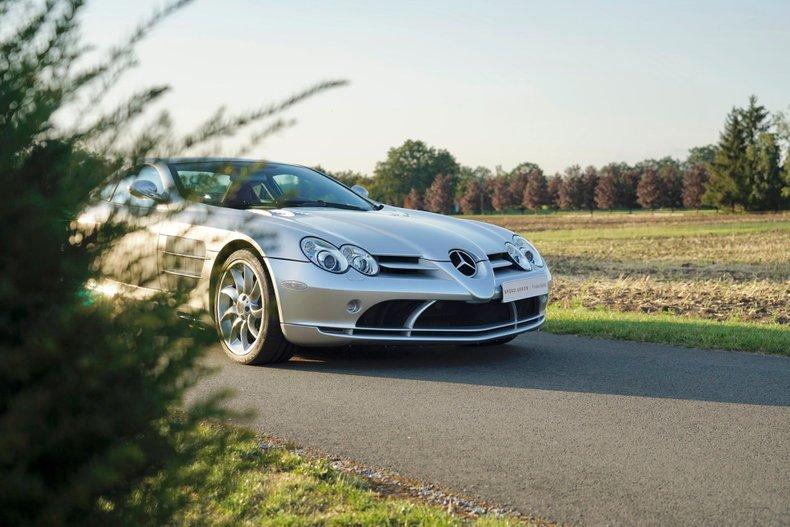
[[245, 312]]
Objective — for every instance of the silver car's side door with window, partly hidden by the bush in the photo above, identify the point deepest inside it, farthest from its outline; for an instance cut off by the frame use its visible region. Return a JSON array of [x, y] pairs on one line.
[[132, 257]]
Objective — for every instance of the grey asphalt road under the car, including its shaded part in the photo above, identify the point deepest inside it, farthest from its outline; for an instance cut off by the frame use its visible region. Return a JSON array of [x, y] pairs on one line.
[[578, 430]]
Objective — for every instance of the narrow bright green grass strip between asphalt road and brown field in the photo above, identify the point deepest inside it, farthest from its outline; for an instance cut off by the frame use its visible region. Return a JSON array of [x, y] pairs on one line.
[[669, 329]]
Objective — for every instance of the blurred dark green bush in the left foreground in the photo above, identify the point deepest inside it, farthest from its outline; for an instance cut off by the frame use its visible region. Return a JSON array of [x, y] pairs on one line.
[[90, 389]]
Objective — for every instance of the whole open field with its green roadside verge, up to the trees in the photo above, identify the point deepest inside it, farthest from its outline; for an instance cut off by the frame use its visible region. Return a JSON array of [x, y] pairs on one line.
[[667, 277]]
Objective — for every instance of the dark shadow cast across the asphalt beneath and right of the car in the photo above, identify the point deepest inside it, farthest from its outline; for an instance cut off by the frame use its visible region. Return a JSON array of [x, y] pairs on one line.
[[574, 364]]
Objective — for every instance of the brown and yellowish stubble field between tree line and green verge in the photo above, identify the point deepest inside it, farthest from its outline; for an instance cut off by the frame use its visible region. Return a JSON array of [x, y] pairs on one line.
[[703, 264]]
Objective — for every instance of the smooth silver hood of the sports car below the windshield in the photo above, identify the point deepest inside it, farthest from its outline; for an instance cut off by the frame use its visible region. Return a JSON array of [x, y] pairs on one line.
[[393, 231]]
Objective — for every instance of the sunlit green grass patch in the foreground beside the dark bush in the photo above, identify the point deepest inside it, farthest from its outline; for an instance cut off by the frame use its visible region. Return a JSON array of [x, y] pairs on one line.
[[236, 482]]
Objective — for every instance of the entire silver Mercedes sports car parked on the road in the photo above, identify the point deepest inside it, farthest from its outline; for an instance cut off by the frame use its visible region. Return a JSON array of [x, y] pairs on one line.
[[278, 256]]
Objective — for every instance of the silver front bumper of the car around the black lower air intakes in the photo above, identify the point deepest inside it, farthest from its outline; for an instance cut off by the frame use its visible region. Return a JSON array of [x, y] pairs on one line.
[[313, 306]]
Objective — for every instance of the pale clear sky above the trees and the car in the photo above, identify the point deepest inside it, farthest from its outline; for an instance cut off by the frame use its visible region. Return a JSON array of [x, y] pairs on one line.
[[496, 83]]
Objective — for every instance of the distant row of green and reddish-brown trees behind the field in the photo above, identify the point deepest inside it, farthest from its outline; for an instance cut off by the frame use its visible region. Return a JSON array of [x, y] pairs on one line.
[[743, 171]]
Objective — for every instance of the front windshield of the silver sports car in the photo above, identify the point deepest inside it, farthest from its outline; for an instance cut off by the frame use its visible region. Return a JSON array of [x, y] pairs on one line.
[[247, 184]]
